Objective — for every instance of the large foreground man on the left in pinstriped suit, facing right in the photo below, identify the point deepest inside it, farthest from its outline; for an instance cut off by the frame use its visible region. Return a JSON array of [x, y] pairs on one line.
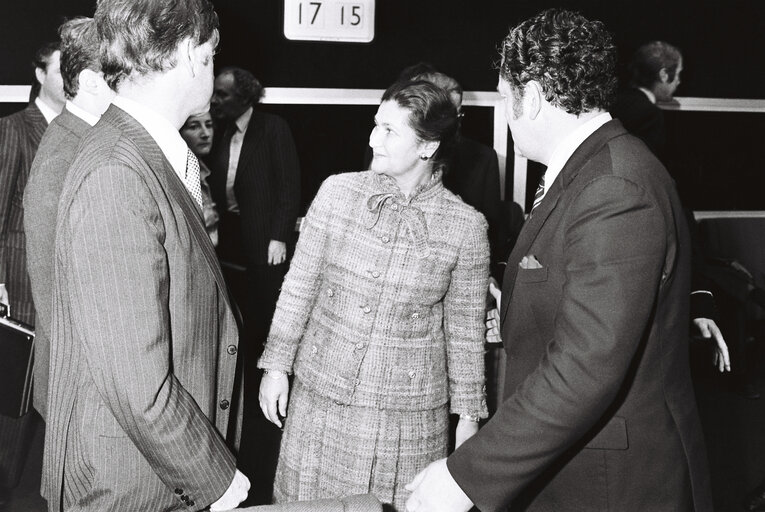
[[143, 338]]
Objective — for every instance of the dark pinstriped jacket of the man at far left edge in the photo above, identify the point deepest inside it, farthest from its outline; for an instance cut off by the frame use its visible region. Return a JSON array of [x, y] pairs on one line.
[[20, 134]]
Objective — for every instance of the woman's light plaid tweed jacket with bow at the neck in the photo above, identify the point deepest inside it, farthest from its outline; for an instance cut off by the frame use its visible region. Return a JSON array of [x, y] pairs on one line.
[[383, 305]]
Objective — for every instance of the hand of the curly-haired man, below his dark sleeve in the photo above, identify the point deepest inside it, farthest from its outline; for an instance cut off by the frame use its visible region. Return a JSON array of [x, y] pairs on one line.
[[434, 490]]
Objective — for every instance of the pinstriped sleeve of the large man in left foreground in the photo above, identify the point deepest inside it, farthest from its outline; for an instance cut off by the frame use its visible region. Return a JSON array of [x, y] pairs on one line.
[[117, 259]]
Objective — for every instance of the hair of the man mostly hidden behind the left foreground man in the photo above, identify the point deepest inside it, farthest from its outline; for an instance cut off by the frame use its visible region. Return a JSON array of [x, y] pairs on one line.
[[79, 50]]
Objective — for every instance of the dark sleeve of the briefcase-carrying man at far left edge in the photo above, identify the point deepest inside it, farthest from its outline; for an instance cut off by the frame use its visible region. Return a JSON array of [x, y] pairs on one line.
[[10, 156]]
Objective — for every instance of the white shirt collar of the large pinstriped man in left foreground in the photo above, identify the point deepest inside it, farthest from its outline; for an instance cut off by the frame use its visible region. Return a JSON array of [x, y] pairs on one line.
[[167, 137]]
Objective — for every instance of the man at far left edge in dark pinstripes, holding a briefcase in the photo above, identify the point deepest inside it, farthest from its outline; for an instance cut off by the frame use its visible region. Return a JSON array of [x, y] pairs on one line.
[[20, 134]]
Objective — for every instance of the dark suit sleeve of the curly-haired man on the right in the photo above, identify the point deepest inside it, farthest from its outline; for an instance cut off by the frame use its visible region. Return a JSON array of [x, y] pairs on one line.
[[611, 282]]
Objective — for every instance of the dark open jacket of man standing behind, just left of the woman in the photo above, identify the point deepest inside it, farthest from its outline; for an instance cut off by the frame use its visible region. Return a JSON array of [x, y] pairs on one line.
[[267, 185]]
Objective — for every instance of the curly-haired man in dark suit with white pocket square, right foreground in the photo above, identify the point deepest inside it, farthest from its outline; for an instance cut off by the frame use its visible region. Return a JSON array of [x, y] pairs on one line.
[[599, 412]]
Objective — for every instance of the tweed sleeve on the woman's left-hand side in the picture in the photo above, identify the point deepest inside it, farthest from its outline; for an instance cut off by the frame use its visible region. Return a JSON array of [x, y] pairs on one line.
[[301, 284]]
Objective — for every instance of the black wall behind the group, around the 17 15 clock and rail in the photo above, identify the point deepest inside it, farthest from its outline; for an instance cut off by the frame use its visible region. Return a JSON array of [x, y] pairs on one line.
[[722, 43]]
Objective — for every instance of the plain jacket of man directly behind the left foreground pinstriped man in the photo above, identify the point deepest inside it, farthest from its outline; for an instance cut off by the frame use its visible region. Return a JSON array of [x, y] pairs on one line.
[[41, 195]]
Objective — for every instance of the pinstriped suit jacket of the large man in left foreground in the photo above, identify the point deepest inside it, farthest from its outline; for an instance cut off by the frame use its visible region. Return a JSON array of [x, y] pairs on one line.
[[143, 339]]
